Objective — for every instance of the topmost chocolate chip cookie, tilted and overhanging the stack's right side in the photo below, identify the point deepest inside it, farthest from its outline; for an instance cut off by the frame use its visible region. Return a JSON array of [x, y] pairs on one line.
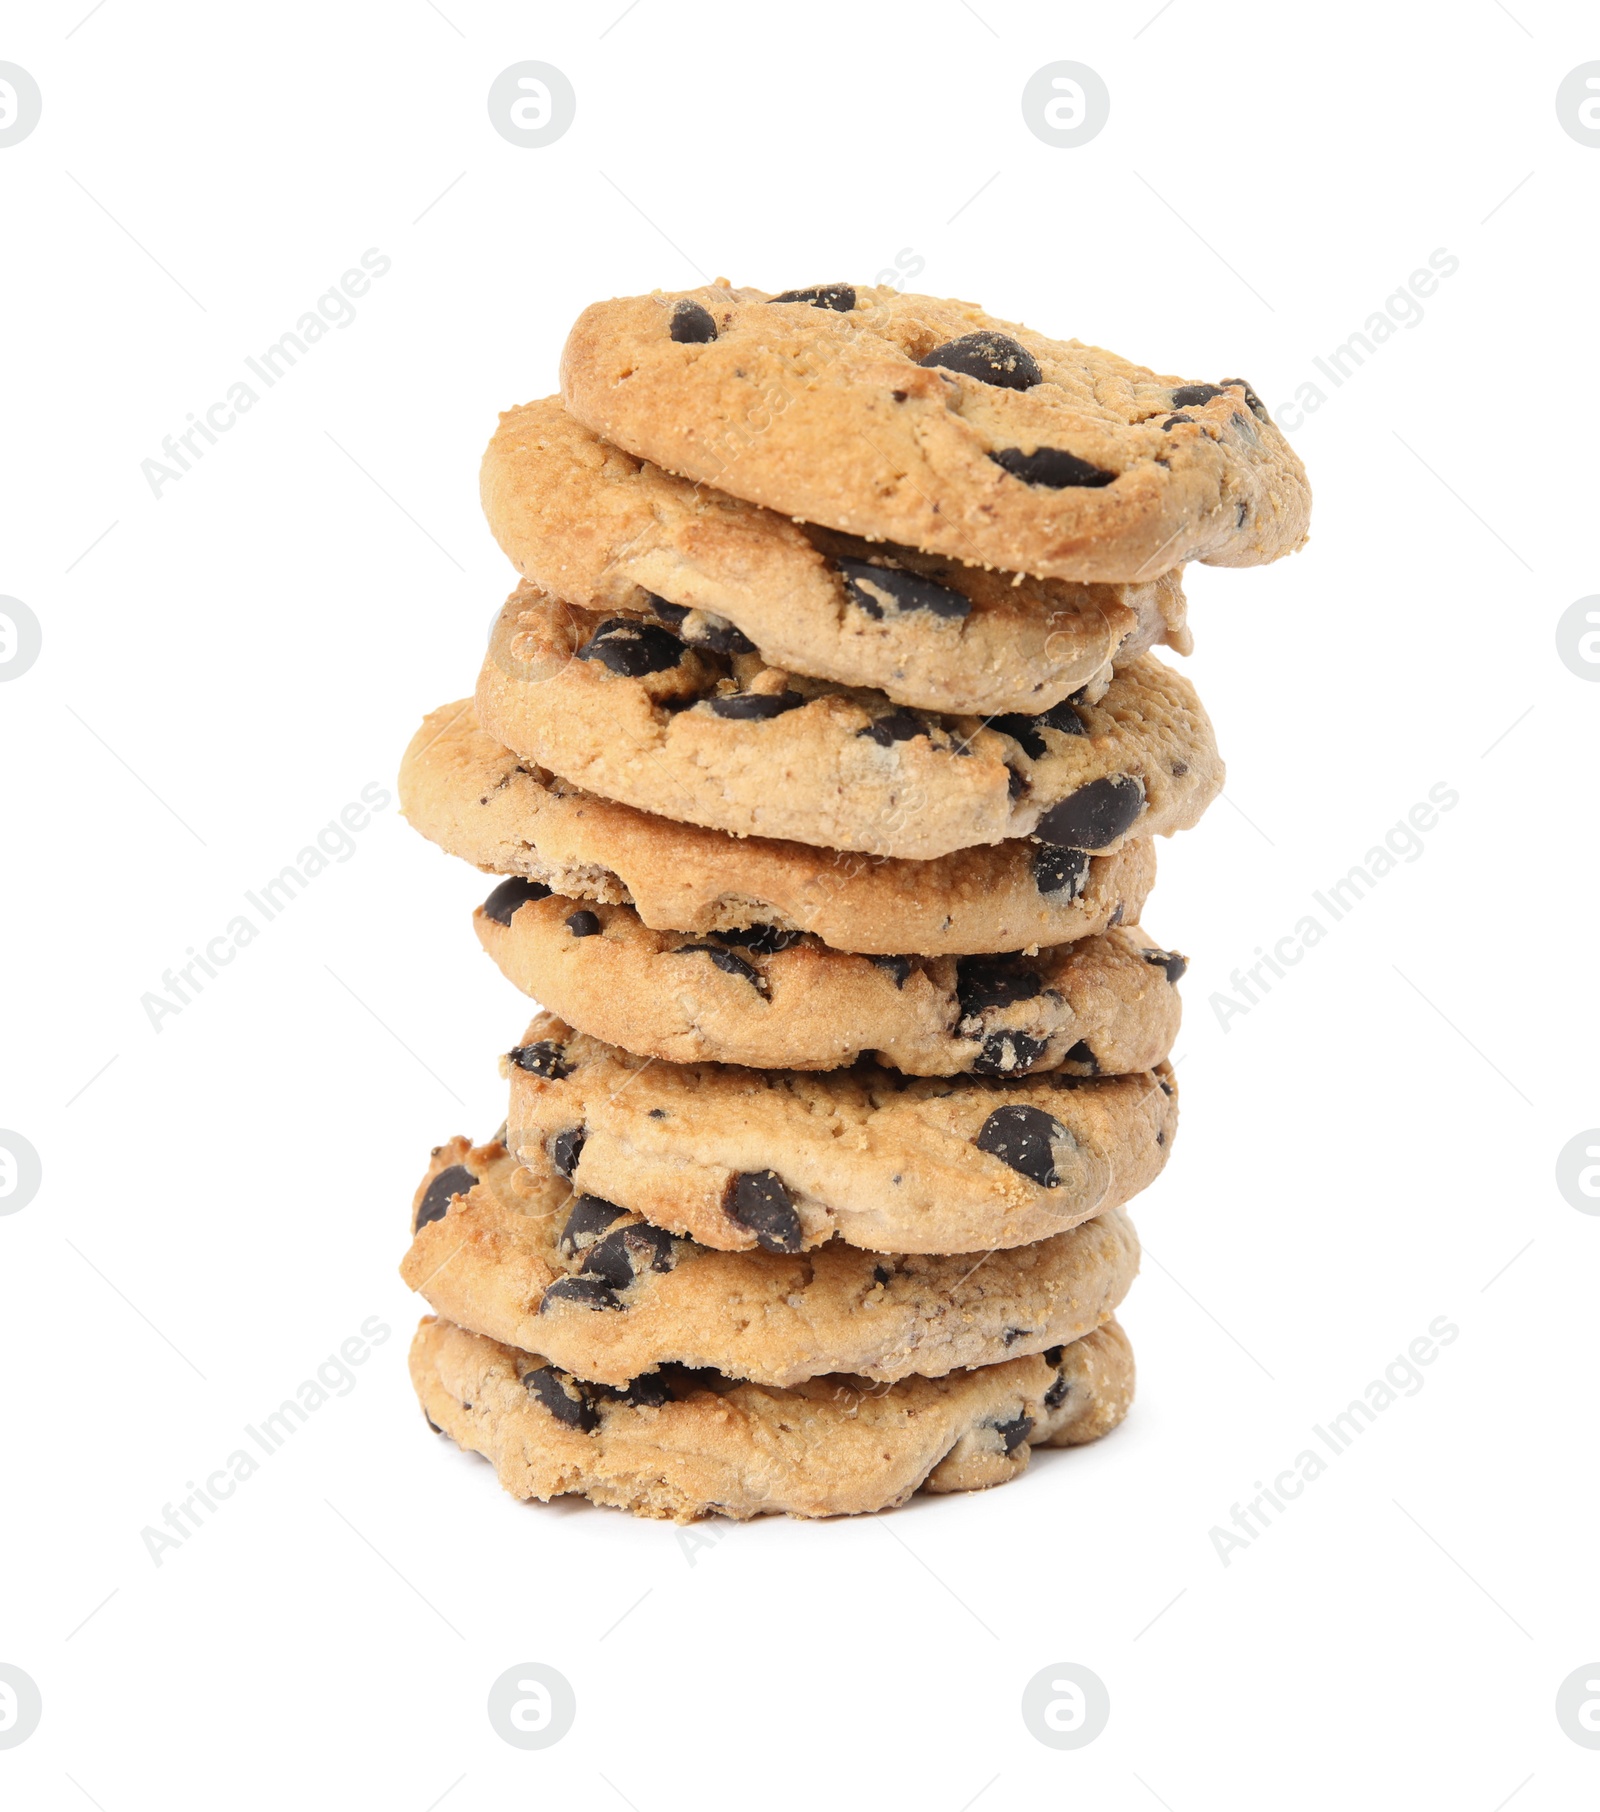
[[929, 423]]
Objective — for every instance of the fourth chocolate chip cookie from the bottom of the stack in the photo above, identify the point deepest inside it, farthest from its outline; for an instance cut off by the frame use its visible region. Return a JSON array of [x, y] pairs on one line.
[[786, 1001]]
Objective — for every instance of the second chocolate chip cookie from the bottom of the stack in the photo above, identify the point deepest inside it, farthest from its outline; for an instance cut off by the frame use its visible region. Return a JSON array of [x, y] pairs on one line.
[[512, 1253]]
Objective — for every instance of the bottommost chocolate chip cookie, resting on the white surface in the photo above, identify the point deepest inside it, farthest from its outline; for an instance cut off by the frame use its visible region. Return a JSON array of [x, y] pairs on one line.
[[684, 1445]]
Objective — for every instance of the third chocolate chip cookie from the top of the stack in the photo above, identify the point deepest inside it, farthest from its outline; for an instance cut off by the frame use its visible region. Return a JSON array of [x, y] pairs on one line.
[[624, 708]]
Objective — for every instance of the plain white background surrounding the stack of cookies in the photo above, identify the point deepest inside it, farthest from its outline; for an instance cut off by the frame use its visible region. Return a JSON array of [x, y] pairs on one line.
[[1367, 1150]]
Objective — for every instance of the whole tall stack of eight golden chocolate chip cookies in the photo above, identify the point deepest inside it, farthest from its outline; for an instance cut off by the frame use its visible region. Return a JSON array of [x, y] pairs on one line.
[[824, 751]]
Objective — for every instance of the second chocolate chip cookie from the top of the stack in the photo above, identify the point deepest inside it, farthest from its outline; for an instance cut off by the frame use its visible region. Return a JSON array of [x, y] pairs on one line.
[[615, 534]]
